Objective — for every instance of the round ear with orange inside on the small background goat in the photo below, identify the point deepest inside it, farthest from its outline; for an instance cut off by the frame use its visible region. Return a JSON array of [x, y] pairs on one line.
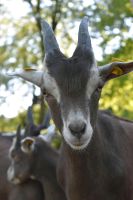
[[28, 145]]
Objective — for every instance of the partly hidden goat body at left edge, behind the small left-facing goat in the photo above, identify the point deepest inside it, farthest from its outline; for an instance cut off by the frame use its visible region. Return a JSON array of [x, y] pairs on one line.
[[29, 190]]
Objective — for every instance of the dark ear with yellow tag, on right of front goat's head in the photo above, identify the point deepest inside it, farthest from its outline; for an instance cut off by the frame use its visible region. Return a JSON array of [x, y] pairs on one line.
[[114, 70]]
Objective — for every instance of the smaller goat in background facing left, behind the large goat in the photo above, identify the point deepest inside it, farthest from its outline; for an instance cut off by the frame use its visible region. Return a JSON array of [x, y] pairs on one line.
[[34, 158]]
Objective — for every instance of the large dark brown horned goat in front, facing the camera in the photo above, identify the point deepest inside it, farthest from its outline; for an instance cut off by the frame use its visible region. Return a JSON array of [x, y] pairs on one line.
[[96, 157]]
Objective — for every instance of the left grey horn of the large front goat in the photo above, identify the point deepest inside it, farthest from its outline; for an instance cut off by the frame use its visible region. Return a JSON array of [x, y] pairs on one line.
[[50, 42]]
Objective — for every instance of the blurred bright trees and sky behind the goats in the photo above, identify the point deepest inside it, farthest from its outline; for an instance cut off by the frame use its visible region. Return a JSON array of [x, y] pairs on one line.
[[111, 30]]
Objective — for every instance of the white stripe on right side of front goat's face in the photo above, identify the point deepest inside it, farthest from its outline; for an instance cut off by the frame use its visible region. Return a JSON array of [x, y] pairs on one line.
[[93, 81]]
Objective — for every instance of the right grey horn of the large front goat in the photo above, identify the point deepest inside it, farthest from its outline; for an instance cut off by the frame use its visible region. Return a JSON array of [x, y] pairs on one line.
[[84, 40]]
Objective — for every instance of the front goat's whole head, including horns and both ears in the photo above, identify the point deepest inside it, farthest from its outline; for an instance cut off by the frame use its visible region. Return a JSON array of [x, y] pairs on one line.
[[74, 83]]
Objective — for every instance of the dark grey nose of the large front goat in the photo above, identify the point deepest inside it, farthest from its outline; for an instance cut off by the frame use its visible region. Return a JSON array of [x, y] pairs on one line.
[[77, 129]]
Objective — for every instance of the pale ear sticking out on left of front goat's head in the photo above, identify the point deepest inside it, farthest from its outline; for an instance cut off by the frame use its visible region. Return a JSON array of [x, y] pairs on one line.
[[30, 75]]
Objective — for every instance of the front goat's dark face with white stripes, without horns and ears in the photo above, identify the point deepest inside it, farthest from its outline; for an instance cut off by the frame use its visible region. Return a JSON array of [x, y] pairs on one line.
[[74, 86]]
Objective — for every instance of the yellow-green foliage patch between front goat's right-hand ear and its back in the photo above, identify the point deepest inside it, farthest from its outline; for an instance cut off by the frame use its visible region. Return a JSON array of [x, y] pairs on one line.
[[117, 96]]
